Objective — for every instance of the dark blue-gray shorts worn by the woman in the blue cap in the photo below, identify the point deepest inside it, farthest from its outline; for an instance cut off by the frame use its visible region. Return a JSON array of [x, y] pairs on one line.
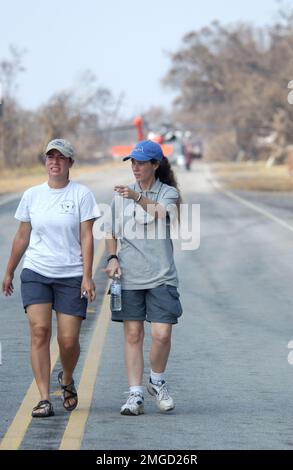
[[160, 305]]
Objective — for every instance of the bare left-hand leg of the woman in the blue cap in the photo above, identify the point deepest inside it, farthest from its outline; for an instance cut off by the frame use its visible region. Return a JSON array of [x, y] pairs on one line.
[[133, 351]]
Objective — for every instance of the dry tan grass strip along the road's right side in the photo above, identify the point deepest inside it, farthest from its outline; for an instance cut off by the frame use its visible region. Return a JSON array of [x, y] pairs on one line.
[[252, 176]]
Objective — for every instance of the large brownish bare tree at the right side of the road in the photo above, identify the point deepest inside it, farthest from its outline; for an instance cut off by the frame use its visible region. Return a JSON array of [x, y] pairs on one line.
[[235, 79]]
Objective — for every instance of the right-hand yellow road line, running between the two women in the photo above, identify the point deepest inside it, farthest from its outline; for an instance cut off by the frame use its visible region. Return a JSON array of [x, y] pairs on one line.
[[74, 431]]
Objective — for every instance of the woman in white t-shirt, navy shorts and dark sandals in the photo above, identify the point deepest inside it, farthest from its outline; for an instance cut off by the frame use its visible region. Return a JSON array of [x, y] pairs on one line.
[[55, 233]]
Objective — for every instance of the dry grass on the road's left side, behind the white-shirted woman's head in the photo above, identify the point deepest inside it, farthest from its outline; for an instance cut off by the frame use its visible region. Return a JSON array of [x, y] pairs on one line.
[[19, 179]]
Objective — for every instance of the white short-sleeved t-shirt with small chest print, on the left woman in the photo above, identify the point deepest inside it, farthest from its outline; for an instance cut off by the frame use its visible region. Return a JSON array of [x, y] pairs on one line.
[[55, 215]]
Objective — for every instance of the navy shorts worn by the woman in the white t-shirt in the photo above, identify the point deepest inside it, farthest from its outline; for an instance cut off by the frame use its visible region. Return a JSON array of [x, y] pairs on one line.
[[62, 293]]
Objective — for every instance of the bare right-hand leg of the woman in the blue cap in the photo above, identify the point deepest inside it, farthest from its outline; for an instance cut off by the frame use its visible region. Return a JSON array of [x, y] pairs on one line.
[[161, 345]]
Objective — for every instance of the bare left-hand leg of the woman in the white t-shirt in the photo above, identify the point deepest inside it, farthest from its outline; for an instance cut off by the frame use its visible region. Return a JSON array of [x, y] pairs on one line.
[[40, 321]]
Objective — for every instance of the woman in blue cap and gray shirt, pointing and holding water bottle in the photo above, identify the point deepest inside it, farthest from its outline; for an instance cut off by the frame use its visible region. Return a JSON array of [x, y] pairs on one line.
[[141, 221]]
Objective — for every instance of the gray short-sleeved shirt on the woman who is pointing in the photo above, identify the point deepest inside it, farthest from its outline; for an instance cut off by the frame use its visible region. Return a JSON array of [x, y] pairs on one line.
[[146, 249]]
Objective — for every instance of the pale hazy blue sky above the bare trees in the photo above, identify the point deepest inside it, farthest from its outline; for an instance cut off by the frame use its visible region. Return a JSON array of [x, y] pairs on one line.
[[125, 43]]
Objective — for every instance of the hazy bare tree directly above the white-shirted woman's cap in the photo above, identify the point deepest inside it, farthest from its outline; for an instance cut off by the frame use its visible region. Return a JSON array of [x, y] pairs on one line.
[[79, 113]]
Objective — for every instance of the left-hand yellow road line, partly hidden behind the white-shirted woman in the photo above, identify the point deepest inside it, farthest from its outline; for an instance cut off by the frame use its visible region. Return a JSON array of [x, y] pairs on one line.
[[16, 431]]
